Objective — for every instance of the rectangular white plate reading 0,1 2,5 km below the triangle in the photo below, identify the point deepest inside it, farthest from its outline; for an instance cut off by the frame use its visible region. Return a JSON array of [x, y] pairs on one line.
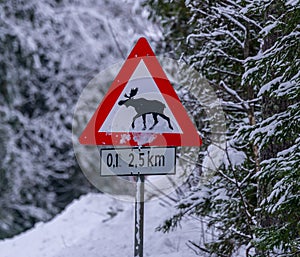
[[138, 160]]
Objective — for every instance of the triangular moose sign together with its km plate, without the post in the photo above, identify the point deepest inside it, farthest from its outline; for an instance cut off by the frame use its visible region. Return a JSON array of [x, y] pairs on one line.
[[141, 109]]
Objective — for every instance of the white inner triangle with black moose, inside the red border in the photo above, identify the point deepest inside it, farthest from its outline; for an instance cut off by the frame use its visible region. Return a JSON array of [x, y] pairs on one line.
[[141, 107]]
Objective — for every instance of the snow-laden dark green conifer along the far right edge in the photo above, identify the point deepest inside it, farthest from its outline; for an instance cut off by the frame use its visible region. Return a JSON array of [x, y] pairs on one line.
[[274, 71]]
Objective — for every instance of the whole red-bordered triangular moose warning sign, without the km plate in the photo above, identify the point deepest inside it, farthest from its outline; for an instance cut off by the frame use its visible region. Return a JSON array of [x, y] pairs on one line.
[[141, 108]]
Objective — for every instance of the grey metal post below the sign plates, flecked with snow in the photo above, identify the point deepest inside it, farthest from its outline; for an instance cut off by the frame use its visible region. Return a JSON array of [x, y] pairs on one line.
[[139, 217]]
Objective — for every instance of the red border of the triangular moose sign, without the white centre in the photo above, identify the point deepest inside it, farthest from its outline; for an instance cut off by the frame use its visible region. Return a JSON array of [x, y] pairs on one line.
[[141, 51]]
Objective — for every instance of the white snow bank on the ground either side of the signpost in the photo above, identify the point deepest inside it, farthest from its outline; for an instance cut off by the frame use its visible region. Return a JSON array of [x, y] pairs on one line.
[[97, 225]]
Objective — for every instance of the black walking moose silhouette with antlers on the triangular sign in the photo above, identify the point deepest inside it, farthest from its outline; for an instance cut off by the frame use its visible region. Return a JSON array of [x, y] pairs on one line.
[[143, 107]]
